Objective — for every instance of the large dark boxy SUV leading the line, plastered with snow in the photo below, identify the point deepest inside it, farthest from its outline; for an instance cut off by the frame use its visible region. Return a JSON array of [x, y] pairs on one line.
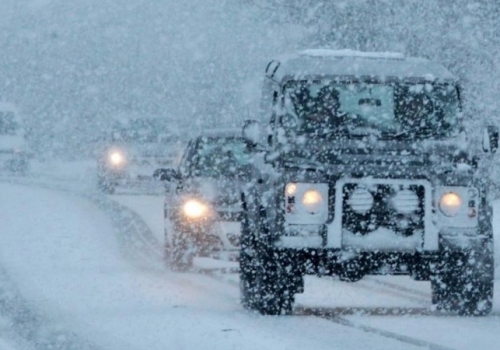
[[370, 172]]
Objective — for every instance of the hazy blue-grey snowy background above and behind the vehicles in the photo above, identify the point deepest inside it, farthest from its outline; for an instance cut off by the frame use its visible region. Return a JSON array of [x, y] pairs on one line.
[[72, 65]]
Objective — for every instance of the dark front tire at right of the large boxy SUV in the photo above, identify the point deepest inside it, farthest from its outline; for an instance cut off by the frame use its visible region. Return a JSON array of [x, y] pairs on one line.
[[465, 284]]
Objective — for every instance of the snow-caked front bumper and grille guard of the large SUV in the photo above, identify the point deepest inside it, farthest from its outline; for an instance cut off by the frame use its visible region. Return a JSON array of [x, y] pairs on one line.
[[385, 236]]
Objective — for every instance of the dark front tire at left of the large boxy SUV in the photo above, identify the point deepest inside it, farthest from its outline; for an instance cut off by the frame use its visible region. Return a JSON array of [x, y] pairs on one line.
[[265, 285]]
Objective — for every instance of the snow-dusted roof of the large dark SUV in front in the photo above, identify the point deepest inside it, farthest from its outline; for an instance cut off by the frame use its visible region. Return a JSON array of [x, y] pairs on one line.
[[350, 63]]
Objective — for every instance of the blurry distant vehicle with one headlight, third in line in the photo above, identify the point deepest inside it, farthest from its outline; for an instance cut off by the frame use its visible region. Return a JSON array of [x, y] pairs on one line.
[[133, 150]]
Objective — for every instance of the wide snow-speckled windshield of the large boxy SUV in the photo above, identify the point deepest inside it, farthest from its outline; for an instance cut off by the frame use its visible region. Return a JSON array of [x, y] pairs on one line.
[[386, 109]]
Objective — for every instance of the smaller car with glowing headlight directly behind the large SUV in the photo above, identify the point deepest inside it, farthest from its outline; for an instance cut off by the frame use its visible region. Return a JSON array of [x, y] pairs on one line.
[[202, 203]]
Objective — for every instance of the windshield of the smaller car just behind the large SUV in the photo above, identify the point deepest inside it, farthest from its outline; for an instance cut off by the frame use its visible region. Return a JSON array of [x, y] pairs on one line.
[[219, 156]]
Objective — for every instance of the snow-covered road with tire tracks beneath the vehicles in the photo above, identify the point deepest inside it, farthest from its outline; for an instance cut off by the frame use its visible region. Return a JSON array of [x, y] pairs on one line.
[[88, 272]]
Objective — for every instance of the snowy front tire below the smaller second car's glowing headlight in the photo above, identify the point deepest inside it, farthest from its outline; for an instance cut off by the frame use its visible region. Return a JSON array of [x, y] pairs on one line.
[[178, 254]]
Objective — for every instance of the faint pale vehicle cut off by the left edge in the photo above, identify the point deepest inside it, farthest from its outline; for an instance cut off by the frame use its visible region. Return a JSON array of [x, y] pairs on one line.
[[13, 147]]
